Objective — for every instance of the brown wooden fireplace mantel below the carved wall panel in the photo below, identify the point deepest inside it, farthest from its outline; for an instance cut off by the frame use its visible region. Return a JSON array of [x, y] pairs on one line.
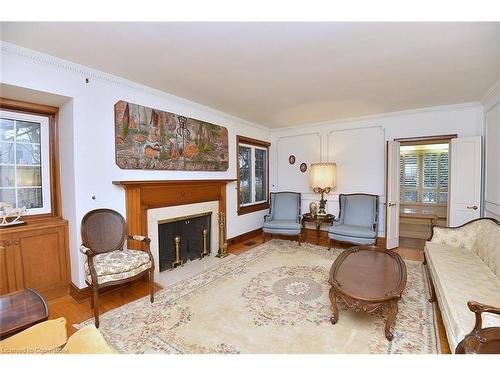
[[144, 195]]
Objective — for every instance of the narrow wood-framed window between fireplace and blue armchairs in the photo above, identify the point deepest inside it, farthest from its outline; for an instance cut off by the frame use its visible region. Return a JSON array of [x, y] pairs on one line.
[[253, 166]]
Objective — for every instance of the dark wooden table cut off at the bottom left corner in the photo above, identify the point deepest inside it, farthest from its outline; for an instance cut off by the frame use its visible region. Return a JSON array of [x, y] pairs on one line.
[[21, 310]]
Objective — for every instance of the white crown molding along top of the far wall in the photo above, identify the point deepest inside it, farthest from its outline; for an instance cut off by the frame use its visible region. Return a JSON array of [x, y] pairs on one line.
[[380, 115]]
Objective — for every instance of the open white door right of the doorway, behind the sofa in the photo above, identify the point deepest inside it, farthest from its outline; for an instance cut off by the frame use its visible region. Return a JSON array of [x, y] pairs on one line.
[[464, 202]]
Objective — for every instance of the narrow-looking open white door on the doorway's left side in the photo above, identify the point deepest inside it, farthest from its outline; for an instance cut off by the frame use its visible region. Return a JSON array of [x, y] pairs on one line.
[[392, 196]]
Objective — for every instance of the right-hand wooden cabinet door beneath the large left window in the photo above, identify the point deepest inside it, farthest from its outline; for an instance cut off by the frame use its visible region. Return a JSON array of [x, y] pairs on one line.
[[43, 259]]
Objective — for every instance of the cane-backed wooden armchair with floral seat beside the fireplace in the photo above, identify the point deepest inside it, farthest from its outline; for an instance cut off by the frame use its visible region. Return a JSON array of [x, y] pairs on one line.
[[104, 232]]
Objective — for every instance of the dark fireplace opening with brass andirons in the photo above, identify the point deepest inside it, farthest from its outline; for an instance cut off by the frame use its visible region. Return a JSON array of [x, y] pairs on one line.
[[183, 238]]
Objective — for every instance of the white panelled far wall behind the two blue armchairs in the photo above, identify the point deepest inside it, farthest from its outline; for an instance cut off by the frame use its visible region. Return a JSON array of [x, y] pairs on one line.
[[358, 148]]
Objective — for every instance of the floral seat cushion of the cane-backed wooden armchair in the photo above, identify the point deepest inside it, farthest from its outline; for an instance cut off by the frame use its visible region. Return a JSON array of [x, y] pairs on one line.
[[118, 265]]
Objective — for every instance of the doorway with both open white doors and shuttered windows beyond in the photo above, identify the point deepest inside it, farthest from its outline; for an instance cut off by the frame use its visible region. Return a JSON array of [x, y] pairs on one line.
[[430, 181]]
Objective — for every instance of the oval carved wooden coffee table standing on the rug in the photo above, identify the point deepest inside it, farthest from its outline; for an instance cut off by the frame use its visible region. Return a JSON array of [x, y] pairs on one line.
[[367, 278]]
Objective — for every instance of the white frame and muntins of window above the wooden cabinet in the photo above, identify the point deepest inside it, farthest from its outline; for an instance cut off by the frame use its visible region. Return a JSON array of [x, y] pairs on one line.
[[45, 158]]
